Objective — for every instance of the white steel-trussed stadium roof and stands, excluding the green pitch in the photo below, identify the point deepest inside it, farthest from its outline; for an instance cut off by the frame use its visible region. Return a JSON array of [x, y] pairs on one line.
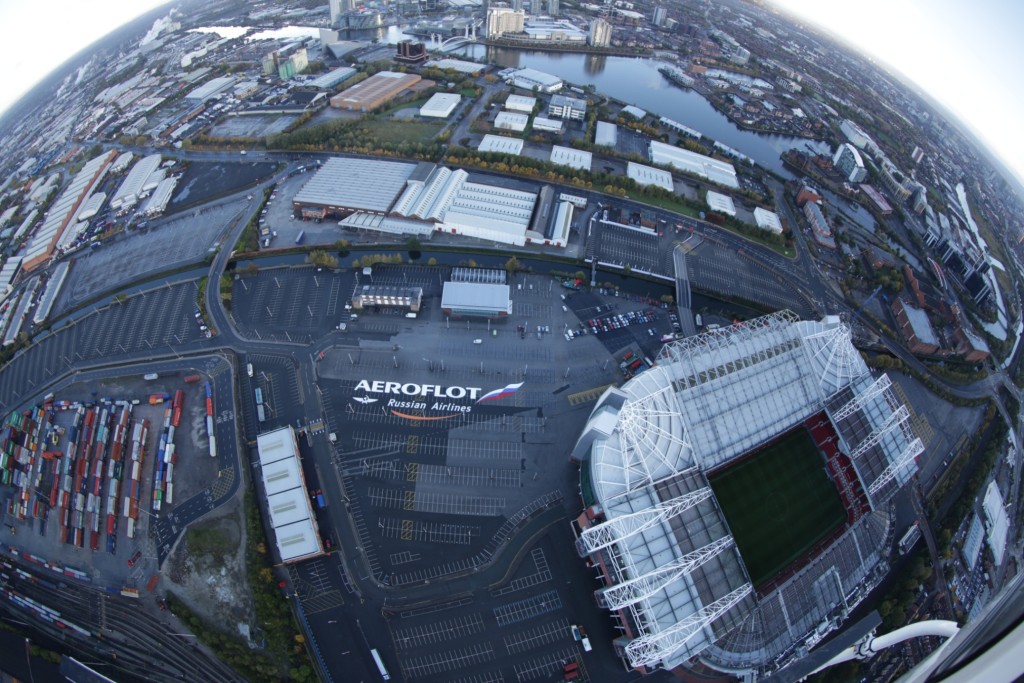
[[708, 401]]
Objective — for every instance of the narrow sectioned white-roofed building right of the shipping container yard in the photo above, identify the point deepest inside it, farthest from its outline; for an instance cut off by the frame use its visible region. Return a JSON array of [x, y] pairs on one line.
[[289, 506]]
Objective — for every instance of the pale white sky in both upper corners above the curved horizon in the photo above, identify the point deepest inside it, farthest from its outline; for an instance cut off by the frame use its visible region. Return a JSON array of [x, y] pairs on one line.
[[964, 54]]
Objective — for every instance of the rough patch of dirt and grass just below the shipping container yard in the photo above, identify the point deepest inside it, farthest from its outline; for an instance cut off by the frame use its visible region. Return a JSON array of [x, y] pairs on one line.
[[207, 570]]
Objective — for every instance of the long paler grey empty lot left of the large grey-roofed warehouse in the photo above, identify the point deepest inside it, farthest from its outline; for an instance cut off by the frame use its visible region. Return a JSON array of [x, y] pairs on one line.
[[167, 244]]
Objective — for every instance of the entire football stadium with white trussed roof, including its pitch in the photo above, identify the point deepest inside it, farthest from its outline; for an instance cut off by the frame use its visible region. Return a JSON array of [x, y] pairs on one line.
[[737, 494]]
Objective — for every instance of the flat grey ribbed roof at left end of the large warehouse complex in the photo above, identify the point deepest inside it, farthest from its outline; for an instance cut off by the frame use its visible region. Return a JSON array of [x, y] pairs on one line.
[[356, 184]]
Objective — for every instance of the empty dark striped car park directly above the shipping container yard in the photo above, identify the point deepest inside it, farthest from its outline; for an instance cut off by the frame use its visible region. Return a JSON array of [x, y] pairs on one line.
[[160, 319]]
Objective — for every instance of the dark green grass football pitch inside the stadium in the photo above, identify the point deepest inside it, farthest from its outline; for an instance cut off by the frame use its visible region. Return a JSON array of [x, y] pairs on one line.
[[779, 504]]
